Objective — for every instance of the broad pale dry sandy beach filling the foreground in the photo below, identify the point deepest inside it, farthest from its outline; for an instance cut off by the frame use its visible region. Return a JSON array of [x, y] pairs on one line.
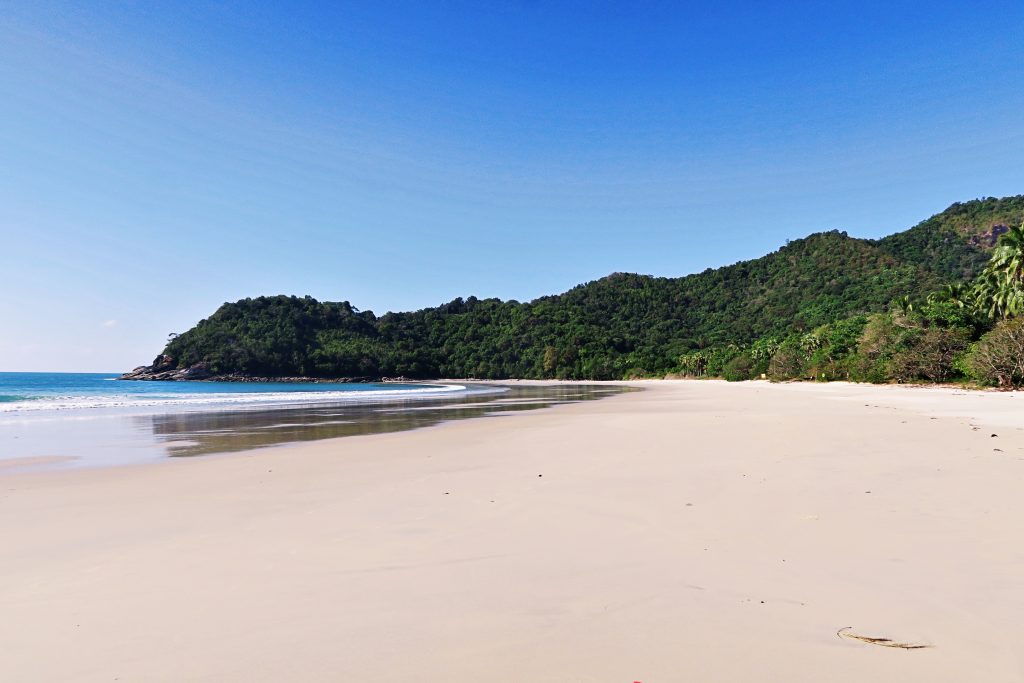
[[693, 532]]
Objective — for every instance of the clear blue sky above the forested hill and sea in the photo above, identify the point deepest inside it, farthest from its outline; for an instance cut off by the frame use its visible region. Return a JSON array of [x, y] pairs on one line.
[[158, 159]]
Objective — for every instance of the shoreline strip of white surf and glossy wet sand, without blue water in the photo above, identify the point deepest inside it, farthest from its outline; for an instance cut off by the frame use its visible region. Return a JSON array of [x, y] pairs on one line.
[[135, 433]]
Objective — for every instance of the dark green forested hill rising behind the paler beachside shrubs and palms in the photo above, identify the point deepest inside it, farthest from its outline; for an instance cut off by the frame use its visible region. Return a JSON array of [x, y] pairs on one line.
[[620, 325]]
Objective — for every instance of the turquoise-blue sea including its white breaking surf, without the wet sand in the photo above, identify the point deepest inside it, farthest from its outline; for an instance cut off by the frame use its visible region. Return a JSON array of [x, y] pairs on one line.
[[25, 393]]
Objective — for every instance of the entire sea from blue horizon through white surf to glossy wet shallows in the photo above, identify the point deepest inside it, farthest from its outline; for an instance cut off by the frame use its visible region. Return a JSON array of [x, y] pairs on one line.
[[75, 420]]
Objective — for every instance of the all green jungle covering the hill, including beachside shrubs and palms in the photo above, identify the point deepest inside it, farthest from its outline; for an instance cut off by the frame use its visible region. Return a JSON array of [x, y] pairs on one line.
[[936, 303]]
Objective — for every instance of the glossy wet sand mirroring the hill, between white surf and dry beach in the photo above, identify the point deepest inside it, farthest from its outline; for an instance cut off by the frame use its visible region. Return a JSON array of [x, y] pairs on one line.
[[101, 439]]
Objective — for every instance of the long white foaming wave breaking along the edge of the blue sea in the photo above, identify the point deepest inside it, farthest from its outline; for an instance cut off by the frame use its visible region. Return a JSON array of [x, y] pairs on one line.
[[247, 400]]
